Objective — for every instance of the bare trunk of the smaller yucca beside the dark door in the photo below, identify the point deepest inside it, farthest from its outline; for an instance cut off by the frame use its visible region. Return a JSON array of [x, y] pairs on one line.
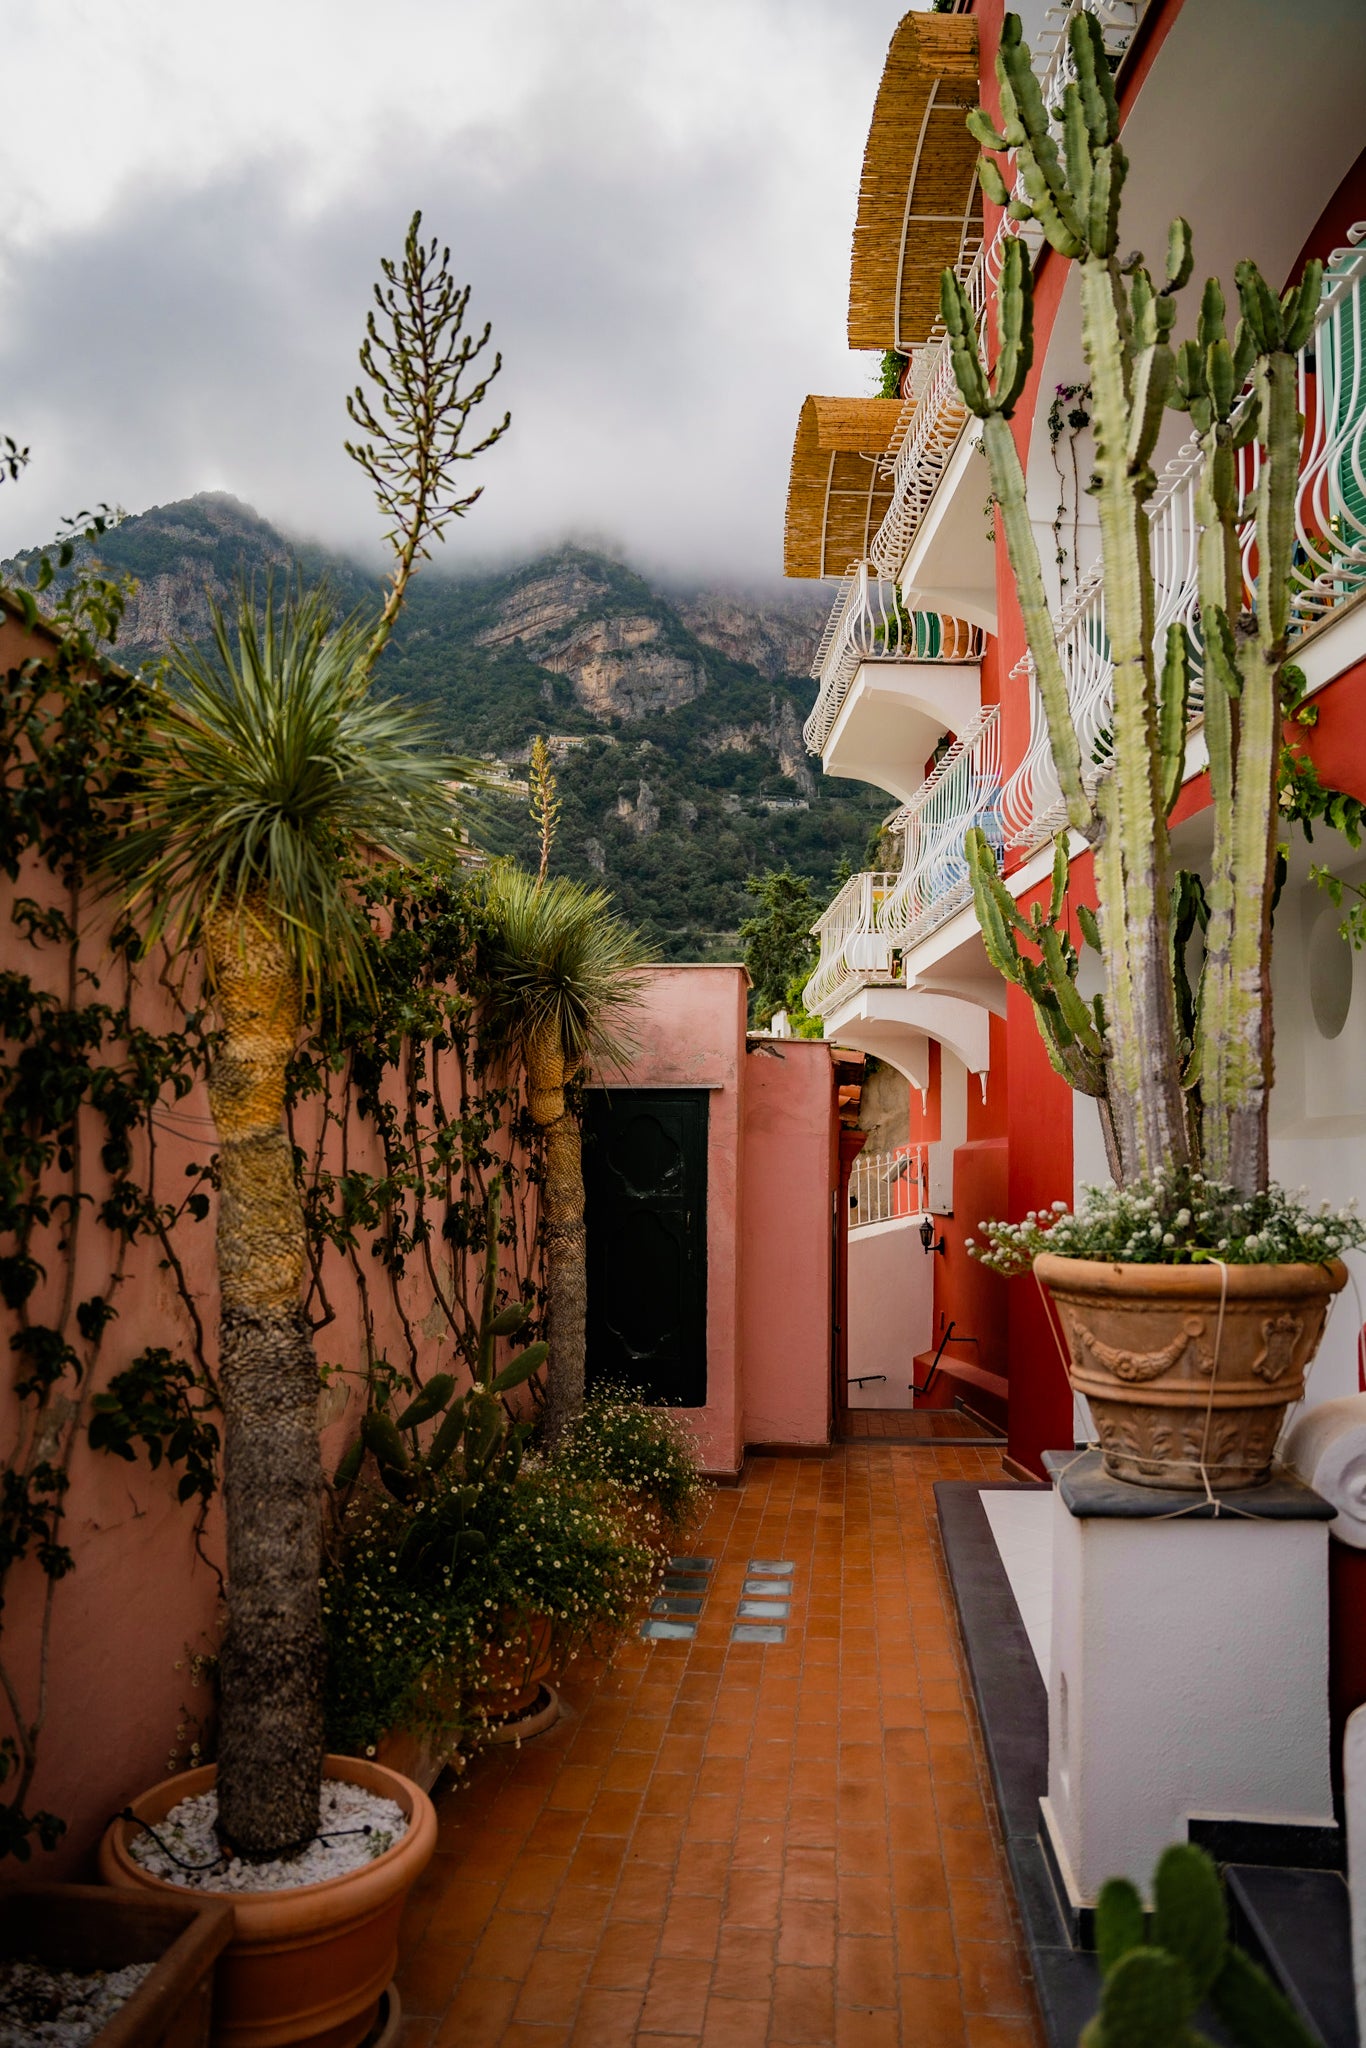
[[562, 1220]]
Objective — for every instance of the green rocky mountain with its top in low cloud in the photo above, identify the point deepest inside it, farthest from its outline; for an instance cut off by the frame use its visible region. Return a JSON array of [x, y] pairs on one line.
[[675, 718]]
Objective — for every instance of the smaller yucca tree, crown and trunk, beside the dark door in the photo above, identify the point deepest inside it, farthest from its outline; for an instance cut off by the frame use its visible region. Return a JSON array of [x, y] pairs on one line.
[[564, 972]]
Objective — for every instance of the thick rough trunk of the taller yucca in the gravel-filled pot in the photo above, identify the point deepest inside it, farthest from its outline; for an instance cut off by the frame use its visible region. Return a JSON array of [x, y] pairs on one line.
[[271, 1736]]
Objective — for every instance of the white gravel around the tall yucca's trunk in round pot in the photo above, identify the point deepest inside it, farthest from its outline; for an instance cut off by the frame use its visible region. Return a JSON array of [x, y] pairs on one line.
[[353, 1828]]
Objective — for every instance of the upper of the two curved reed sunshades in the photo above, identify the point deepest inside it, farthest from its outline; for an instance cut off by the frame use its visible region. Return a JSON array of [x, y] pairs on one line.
[[919, 200]]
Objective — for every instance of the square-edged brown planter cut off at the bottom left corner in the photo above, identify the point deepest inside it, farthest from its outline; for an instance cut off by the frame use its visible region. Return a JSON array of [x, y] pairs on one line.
[[89, 1928]]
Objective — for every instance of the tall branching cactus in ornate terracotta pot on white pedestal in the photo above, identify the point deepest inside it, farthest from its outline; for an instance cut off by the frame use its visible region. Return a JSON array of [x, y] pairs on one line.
[[1195, 1293]]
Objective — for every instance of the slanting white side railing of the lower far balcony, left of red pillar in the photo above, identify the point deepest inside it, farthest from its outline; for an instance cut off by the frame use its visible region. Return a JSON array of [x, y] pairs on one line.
[[964, 792]]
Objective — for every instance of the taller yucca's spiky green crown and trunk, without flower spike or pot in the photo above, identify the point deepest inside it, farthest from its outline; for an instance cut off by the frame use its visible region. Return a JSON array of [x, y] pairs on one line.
[[269, 775]]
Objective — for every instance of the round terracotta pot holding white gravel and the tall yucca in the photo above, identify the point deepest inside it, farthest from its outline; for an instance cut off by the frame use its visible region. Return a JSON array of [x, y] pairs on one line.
[[306, 1965]]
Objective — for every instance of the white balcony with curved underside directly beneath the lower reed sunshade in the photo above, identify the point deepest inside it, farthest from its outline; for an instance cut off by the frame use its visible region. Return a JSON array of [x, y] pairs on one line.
[[892, 685]]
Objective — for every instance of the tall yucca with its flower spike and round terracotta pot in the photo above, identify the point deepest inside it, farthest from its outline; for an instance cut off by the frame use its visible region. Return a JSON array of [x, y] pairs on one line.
[[271, 775]]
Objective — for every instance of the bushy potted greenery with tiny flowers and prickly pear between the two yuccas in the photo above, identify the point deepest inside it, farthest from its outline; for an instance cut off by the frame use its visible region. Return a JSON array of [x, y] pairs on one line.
[[472, 1568]]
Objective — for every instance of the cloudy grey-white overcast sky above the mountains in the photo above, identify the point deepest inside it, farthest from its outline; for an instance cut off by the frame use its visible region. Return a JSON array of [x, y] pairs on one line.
[[650, 200]]
